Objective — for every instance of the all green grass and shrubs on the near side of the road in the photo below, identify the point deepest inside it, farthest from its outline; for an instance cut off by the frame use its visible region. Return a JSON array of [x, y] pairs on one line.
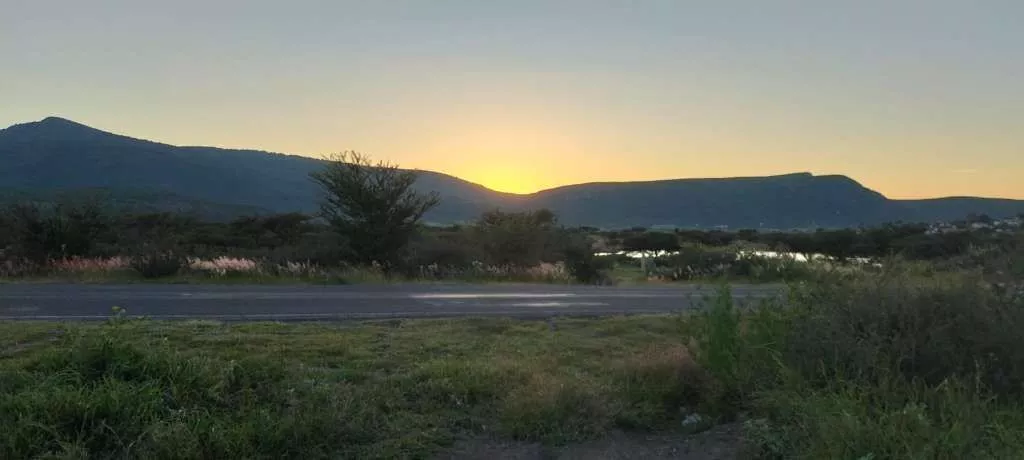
[[860, 367]]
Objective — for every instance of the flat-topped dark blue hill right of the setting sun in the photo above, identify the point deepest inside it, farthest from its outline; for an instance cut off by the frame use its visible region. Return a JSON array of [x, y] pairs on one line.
[[786, 201]]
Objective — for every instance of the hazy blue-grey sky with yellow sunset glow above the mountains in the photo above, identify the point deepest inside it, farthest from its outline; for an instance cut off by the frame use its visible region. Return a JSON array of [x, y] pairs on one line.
[[914, 99]]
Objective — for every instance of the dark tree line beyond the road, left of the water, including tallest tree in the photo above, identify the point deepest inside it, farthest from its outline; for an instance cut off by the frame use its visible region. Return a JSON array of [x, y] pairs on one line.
[[371, 215]]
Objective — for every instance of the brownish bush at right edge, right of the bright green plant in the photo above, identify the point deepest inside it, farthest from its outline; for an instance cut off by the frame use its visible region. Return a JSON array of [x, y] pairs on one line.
[[876, 327]]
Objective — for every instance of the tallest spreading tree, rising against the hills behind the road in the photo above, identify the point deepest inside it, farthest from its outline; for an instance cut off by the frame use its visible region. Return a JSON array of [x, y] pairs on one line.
[[373, 206]]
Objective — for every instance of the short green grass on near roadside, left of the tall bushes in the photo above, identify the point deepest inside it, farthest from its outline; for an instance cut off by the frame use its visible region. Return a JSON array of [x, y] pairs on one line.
[[396, 390]]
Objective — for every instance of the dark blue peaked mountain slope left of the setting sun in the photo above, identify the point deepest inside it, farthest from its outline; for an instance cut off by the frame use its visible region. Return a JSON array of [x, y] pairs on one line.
[[58, 154]]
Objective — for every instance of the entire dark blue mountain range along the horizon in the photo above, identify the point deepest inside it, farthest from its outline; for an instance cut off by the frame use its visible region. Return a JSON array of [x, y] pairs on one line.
[[54, 157]]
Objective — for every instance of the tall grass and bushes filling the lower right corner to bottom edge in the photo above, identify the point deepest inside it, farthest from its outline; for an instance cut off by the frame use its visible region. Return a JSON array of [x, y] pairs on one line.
[[873, 366]]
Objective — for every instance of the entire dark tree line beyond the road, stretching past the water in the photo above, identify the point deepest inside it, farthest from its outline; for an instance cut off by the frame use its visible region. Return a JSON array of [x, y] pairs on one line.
[[371, 215]]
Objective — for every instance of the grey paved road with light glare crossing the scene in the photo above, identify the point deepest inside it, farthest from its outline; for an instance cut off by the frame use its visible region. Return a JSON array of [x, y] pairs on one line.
[[338, 303]]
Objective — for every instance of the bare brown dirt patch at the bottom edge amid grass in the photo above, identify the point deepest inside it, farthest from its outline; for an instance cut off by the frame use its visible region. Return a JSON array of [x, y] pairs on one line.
[[720, 443]]
